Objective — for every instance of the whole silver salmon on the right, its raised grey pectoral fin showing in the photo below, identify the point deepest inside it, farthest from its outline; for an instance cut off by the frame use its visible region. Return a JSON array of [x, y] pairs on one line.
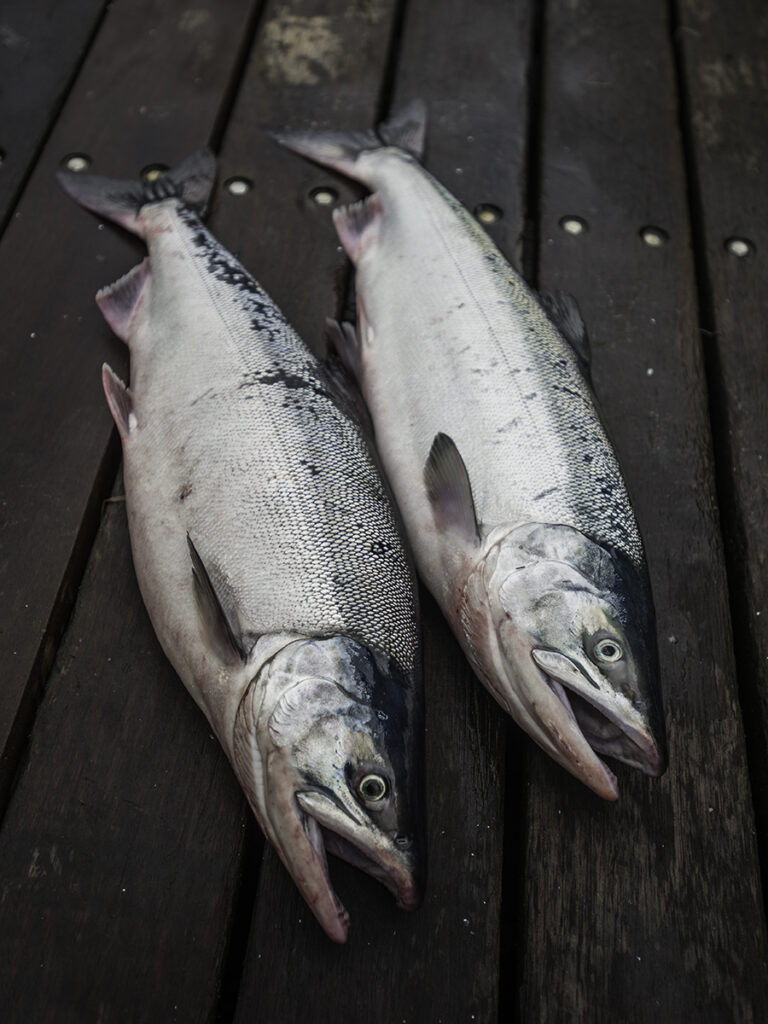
[[513, 498]]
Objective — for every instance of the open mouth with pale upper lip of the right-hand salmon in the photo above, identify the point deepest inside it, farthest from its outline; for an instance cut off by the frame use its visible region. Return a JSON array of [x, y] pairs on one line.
[[608, 721]]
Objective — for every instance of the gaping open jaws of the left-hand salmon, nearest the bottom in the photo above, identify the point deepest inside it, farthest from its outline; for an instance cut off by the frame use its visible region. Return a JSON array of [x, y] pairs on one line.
[[331, 828]]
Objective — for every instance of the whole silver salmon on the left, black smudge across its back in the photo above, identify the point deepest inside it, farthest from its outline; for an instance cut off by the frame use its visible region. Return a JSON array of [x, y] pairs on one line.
[[267, 548]]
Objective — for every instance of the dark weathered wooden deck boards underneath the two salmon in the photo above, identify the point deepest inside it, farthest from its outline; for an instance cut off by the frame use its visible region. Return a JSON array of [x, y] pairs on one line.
[[135, 885]]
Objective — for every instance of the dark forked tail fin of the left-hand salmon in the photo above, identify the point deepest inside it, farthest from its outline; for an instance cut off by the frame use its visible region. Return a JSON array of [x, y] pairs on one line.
[[121, 201]]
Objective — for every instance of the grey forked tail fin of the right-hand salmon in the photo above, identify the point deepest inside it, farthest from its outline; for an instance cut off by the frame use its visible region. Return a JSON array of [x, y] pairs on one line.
[[406, 131]]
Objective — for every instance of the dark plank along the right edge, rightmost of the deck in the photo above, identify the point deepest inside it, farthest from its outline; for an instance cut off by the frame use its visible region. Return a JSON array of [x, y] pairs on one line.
[[727, 89]]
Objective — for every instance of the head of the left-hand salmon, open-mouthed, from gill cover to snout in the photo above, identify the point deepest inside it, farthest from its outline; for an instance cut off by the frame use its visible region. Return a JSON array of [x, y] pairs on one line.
[[328, 749]]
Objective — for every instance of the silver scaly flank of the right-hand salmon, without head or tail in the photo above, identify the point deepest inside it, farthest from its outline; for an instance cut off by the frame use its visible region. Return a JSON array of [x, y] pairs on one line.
[[495, 335]]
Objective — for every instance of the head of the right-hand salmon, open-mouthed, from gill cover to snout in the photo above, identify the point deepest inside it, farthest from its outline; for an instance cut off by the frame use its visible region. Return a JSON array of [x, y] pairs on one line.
[[570, 635]]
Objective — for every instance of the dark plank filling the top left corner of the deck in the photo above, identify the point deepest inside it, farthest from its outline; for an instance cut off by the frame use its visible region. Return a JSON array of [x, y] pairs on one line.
[[41, 47]]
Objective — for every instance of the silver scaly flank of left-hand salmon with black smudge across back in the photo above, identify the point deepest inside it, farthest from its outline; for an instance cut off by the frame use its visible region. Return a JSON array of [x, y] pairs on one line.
[[277, 417]]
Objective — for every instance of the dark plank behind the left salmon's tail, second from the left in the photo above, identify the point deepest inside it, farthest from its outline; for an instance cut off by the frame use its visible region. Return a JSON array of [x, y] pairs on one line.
[[151, 91]]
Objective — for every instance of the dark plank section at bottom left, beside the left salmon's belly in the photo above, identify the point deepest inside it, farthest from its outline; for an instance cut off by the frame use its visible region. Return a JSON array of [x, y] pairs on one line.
[[120, 854]]
